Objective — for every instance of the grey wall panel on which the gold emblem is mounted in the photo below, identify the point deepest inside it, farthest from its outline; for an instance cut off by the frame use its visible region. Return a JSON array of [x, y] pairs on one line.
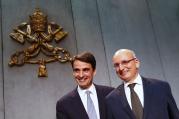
[[26, 95]]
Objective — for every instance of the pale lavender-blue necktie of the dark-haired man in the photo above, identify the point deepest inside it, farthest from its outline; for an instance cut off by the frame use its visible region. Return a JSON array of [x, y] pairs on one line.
[[90, 107]]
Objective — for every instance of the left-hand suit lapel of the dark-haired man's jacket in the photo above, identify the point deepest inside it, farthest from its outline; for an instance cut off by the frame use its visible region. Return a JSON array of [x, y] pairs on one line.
[[80, 110]]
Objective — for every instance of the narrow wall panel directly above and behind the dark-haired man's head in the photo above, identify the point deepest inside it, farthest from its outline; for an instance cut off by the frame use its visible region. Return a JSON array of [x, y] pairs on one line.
[[88, 35]]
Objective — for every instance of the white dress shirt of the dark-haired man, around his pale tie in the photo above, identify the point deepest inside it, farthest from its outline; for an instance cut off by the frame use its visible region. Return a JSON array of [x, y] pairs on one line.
[[93, 95]]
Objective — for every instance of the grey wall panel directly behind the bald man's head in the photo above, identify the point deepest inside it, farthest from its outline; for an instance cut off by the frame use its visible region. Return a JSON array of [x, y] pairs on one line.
[[127, 24]]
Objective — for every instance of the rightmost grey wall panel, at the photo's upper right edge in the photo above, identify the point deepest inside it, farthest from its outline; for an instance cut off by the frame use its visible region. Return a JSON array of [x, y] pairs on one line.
[[165, 19]]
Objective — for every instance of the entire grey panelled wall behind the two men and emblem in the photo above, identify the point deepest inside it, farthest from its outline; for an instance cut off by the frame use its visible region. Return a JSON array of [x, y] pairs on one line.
[[149, 27]]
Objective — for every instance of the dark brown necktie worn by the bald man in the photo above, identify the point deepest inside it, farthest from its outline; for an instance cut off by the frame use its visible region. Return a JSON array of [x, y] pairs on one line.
[[136, 104]]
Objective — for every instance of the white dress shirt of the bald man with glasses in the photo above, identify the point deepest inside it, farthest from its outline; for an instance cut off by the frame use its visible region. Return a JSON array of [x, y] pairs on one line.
[[138, 89]]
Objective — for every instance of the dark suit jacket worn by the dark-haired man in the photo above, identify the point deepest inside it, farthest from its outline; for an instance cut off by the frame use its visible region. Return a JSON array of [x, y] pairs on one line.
[[71, 107]]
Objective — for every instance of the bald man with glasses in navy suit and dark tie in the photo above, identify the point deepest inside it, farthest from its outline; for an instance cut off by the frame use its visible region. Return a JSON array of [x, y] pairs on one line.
[[138, 97]]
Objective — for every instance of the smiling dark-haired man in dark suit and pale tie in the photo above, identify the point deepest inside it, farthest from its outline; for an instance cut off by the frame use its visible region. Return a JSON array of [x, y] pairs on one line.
[[75, 105]]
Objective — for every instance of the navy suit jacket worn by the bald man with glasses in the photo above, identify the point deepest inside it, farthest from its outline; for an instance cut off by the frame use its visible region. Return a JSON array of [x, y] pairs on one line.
[[158, 102]]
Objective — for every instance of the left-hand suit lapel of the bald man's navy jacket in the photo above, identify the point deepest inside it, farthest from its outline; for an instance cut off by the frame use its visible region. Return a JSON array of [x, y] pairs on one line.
[[123, 99]]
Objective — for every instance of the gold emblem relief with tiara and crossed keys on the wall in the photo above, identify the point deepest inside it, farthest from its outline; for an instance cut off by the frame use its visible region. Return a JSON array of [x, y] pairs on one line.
[[39, 33]]
